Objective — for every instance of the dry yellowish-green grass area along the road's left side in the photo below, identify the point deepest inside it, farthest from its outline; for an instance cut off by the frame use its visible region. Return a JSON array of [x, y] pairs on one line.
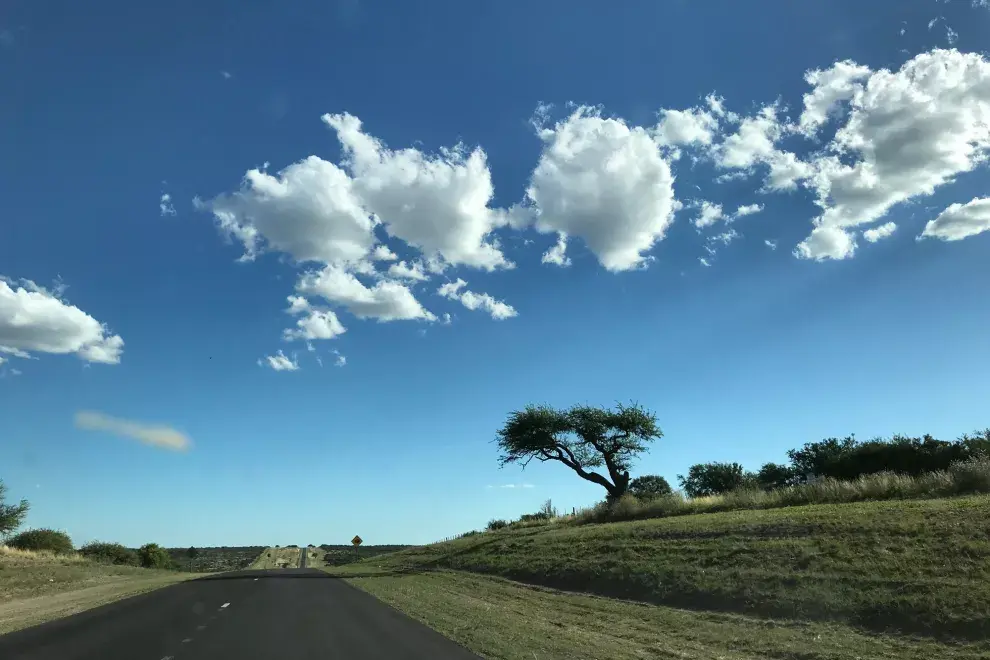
[[37, 587]]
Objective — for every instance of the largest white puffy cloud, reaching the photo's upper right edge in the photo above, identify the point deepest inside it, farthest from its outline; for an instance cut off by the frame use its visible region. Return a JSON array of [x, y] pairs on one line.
[[906, 133]]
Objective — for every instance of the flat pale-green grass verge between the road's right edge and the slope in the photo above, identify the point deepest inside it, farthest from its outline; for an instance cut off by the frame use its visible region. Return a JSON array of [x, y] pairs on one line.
[[499, 619]]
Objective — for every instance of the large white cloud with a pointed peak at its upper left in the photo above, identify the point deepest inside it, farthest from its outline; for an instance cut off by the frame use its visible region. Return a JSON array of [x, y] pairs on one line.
[[436, 203]]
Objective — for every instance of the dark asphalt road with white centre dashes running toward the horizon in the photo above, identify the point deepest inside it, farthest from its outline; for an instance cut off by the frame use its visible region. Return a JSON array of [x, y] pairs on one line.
[[297, 614]]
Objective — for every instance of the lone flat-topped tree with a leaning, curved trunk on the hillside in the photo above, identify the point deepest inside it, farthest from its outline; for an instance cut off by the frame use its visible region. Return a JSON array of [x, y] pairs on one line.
[[582, 438]]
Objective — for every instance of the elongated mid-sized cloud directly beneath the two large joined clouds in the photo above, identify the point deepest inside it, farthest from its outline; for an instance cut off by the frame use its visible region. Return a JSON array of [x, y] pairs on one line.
[[386, 300]]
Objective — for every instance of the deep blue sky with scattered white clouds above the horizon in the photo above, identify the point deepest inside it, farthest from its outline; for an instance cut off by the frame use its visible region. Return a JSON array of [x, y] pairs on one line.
[[192, 196]]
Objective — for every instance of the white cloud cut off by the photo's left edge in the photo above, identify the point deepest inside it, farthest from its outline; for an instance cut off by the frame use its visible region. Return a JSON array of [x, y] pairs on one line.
[[33, 319]]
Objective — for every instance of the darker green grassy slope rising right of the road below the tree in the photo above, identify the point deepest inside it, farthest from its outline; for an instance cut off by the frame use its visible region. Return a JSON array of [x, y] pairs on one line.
[[911, 566]]
